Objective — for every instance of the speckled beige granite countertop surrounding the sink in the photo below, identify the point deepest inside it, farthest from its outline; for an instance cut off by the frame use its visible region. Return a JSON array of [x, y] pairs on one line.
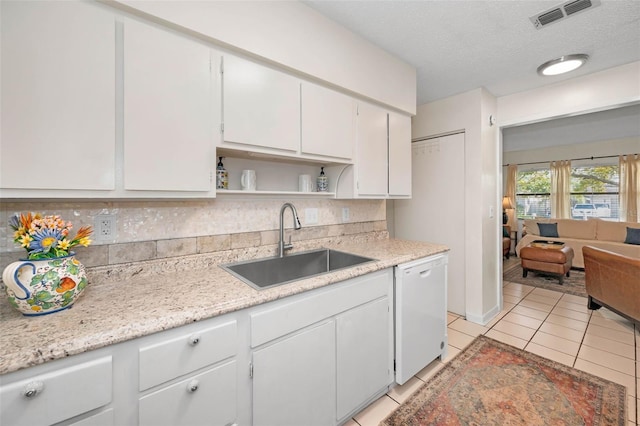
[[124, 302]]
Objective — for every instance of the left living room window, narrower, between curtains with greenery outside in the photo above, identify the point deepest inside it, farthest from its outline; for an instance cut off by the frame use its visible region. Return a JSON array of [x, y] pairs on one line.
[[533, 194]]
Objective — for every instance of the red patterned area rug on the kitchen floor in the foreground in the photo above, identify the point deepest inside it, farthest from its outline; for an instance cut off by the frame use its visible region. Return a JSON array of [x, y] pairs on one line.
[[491, 383]]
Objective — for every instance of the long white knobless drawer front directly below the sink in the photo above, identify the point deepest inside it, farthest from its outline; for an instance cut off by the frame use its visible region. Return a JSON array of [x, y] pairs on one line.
[[283, 319]]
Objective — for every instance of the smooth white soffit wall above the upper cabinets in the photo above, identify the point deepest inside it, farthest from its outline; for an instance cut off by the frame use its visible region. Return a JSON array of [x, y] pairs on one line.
[[293, 35]]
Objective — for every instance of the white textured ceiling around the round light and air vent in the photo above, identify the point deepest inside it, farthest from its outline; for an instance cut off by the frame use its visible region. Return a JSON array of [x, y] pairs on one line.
[[460, 45]]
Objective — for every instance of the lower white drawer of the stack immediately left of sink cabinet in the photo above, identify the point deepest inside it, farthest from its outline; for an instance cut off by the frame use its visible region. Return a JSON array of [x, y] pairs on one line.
[[207, 398]]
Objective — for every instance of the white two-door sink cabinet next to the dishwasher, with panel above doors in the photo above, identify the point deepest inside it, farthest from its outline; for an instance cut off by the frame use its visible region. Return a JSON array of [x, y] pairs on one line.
[[322, 355]]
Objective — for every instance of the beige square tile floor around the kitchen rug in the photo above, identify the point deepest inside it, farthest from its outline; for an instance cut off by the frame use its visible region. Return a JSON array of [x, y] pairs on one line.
[[551, 324]]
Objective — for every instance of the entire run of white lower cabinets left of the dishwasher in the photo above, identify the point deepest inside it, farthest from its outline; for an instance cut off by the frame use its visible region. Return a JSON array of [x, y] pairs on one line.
[[314, 358]]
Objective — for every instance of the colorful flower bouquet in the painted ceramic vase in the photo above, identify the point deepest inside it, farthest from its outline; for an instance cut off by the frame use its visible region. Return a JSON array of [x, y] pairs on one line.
[[47, 237]]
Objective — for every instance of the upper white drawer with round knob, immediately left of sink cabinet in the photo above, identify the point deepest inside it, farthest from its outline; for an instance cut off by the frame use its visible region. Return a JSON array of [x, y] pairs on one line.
[[169, 359]]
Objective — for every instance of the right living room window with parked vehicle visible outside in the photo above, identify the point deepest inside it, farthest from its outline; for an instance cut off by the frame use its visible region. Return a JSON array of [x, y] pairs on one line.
[[595, 192]]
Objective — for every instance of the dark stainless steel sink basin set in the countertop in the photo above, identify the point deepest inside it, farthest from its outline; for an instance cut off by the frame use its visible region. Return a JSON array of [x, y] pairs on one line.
[[273, 271]]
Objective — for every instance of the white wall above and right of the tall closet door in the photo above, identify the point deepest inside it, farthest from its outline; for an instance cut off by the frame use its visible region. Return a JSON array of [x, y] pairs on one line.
[[469, 112]]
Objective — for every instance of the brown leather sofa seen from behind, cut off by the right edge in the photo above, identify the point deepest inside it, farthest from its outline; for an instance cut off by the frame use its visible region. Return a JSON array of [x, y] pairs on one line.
[[612, 280]]
